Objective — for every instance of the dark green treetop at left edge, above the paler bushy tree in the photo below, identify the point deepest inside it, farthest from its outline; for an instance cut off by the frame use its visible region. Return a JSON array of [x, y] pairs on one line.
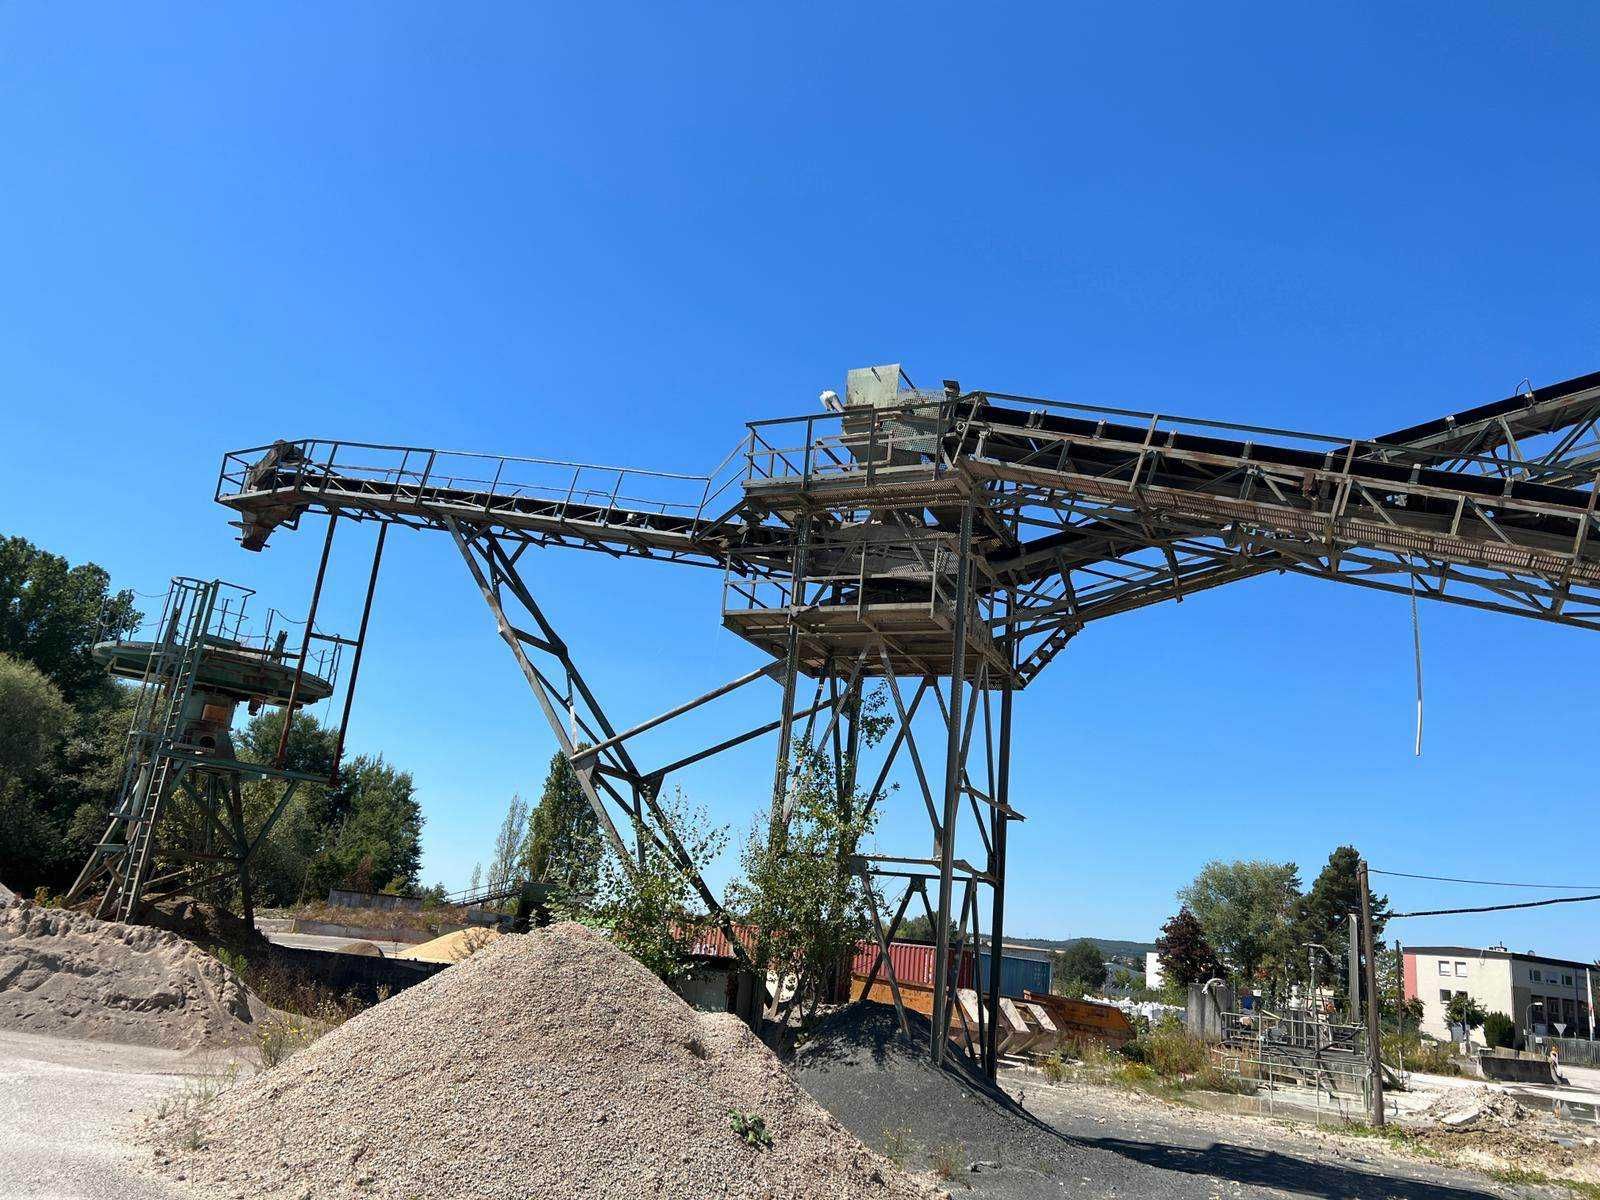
[[54, 614]]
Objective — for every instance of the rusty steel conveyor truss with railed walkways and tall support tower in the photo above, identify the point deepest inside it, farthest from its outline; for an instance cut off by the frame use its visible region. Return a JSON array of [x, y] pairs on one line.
[[943, 548]]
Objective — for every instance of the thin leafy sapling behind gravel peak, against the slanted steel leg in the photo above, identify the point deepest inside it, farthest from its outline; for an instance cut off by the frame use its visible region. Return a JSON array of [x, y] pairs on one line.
[[649, 905]]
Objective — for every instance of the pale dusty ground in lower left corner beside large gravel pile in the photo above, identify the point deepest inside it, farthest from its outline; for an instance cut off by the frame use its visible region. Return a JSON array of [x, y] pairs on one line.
[[70, 1116]]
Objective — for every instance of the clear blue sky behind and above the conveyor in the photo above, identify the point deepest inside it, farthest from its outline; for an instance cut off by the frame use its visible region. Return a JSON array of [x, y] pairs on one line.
[[617, 233]]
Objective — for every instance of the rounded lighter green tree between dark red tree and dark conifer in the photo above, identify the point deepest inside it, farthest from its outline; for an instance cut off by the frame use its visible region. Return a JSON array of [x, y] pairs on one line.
[[1247, 911]]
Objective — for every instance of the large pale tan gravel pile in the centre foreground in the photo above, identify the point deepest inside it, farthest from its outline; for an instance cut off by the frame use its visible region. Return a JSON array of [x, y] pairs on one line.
[[548, 1066]]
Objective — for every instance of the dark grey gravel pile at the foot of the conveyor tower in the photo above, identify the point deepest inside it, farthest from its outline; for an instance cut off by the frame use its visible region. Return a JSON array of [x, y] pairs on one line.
[[887, 1092]]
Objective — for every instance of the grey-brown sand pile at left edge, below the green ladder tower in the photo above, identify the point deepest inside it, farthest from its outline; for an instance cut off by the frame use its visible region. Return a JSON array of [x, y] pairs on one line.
[[70, 975]]
